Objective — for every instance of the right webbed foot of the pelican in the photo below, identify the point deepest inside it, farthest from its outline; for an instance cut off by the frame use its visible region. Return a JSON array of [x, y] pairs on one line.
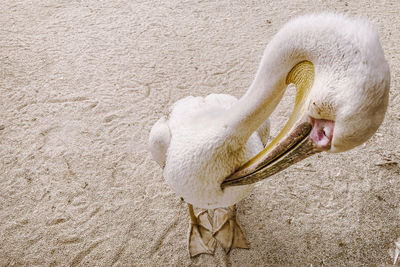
[[227, 230]]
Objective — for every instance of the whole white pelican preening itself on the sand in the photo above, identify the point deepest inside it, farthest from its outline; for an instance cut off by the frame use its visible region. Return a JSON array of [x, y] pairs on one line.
[[213, 149]]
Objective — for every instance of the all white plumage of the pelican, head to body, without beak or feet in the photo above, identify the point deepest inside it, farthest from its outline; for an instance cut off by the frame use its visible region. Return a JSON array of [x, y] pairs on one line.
[[207, 139]]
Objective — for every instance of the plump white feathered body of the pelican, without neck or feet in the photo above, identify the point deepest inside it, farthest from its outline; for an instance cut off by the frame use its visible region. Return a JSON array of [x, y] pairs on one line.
[[196, 125]]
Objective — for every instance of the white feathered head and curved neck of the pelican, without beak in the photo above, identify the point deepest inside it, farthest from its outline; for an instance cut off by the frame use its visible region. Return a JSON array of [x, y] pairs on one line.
[[351, 84]]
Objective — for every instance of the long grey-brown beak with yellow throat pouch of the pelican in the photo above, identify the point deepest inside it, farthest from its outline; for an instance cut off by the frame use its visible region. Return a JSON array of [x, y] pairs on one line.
[[291, 145]]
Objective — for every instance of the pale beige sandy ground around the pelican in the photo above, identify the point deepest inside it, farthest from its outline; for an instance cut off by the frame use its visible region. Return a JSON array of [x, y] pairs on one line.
[[81, 85]]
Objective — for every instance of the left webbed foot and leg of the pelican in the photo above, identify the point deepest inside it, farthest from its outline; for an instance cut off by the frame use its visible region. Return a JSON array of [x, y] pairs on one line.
[[200, 234]]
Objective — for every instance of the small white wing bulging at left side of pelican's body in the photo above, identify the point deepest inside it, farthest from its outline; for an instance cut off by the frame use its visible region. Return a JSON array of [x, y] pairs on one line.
[[159, 139]]
